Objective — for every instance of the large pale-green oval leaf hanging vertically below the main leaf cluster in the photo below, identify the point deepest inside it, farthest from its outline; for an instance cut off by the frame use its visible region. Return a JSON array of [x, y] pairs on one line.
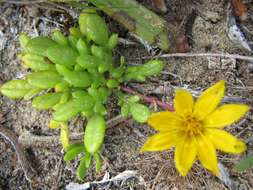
[[94, 134]]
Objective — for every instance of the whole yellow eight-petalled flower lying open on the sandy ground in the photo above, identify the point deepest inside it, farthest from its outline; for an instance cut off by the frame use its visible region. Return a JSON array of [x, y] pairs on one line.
[[195, 129]]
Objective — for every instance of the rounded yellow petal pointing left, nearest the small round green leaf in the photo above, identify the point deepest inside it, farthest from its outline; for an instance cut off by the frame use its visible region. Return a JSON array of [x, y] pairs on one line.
[[164, 121]]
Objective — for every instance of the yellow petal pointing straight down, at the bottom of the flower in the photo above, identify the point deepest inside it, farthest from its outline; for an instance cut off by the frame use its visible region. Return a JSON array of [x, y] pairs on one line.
[[185, 155]]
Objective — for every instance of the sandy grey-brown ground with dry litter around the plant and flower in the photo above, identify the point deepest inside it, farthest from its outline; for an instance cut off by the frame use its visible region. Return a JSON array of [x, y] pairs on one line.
[[122, 143]]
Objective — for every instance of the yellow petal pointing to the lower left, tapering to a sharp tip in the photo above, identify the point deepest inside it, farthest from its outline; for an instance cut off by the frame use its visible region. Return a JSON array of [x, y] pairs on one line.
[[160, 142]]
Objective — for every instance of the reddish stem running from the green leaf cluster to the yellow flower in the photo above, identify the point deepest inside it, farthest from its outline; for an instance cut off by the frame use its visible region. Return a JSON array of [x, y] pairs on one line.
[[147, 99]]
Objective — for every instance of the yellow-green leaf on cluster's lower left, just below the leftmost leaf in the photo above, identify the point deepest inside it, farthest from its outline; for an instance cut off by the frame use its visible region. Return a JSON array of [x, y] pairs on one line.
[[46, 101]]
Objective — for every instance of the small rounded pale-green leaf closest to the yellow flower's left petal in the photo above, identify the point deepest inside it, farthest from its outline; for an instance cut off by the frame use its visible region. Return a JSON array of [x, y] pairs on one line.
[[139, 112]]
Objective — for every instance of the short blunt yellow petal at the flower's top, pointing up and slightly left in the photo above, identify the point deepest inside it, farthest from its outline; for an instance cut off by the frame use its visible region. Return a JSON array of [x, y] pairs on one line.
[[183, 102]]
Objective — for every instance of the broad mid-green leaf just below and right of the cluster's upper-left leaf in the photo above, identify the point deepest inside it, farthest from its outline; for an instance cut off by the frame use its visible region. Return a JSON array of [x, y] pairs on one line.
[[62, 55]]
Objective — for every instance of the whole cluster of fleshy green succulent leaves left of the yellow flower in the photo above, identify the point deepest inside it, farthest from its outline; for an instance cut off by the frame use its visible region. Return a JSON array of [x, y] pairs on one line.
[[75, 75]]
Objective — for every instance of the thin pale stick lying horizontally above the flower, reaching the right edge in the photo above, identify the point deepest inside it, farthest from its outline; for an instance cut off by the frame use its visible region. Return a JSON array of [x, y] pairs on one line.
[[224, 55]]
